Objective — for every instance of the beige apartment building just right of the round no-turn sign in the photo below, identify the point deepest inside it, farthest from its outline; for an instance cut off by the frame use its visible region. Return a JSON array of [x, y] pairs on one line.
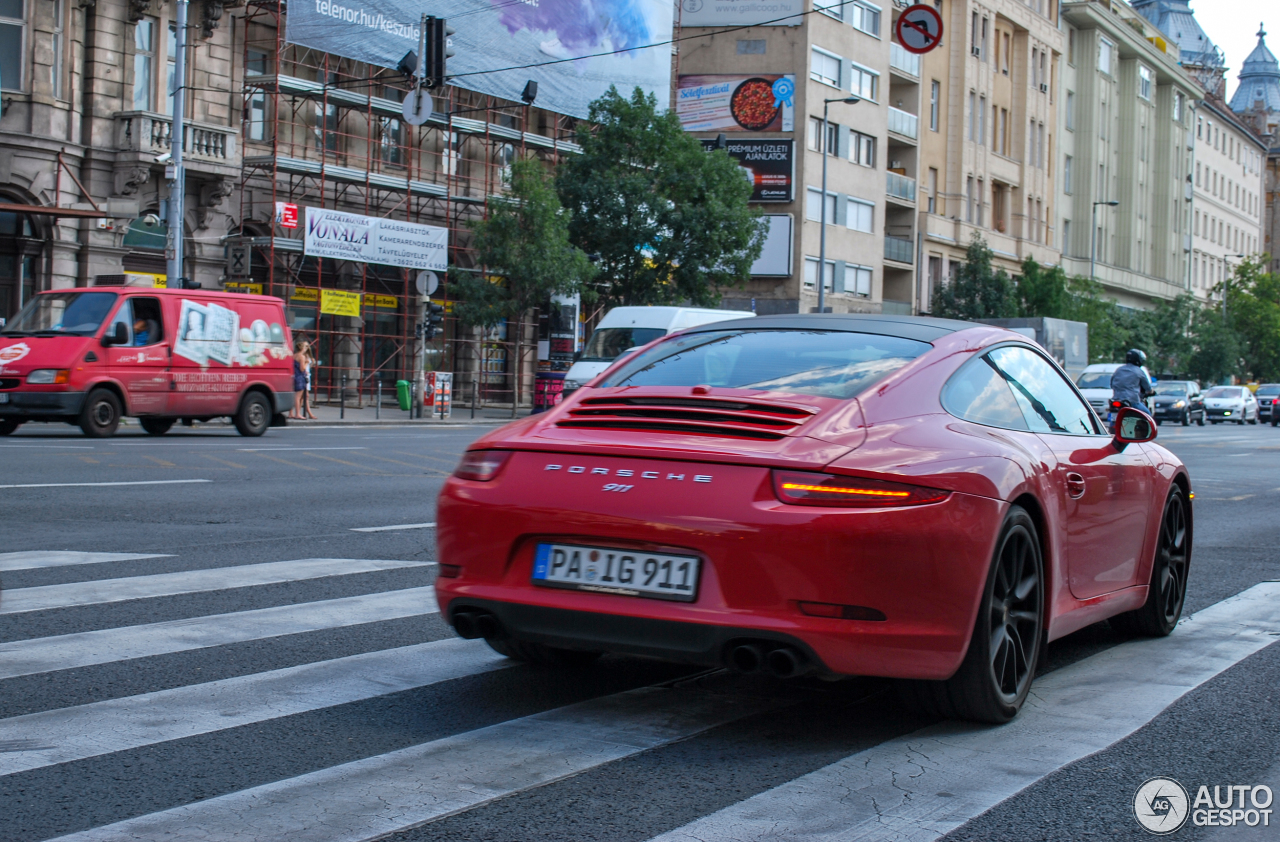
[[990, 129]]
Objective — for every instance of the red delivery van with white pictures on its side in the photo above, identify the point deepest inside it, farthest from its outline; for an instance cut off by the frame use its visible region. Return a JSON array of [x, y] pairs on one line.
[[90, 356]]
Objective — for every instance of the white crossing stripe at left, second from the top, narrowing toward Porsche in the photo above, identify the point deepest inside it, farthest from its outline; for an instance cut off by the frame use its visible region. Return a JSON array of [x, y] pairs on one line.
[[19, 601]]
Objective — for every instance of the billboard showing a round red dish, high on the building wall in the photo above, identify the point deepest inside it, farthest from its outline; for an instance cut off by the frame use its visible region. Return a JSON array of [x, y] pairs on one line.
[[760, 103]]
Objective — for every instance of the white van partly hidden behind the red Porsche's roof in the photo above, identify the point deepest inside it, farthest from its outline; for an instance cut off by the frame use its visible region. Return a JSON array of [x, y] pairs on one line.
[[625, 328]]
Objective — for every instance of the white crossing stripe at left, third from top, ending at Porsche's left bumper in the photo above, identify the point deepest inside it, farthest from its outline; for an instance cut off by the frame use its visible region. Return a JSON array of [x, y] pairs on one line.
[[112, 646]]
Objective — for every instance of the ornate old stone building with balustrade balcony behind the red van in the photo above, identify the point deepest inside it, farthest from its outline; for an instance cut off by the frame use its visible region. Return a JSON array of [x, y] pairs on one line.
[[86, 123]]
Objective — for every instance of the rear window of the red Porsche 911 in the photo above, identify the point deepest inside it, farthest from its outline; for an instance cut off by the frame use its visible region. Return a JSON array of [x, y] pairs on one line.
[[829, 364]]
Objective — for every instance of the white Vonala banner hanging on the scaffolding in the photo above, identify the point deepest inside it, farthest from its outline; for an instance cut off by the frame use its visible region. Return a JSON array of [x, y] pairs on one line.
[[372, 240]]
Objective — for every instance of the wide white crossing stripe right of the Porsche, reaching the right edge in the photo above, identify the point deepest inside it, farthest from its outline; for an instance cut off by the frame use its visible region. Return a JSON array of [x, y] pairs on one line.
[[890, 793]]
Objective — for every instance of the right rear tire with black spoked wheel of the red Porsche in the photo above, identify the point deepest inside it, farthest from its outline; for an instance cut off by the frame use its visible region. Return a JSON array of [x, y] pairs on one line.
[[991, 687]]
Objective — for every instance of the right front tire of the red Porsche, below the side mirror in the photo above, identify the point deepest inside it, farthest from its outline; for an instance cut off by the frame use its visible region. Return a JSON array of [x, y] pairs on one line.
[[1168, 593]]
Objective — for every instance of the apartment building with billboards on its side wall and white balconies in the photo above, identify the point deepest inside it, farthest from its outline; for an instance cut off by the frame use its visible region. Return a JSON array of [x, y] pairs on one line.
[[817, 60]]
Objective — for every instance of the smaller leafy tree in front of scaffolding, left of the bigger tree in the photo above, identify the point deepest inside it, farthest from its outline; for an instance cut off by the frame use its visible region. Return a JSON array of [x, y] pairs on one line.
[[527, 248]]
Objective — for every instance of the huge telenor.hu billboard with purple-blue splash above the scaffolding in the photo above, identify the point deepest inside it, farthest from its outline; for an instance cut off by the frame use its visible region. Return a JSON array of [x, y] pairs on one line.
[[580, 48]]
